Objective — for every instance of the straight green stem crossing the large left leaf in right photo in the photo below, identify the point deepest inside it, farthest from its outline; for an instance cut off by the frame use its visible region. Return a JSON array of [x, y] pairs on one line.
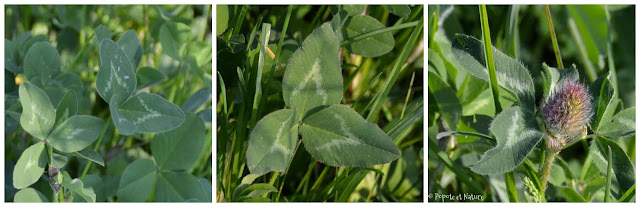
[[488, 56]]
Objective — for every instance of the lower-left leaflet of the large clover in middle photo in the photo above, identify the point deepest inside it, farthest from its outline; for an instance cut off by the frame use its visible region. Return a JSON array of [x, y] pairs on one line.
[[272, 142]]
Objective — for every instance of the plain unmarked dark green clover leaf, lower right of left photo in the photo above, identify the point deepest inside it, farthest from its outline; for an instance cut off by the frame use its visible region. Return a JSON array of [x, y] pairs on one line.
[[173, 151]]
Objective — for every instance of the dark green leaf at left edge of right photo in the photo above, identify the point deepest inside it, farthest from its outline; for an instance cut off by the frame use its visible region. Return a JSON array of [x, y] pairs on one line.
[[446, 100]]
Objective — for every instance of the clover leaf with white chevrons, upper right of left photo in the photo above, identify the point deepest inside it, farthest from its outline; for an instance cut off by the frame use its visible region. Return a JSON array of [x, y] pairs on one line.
[[116, 82]]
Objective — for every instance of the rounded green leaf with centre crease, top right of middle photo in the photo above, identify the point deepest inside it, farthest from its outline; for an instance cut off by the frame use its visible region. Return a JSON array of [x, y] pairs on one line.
[[374, 46]]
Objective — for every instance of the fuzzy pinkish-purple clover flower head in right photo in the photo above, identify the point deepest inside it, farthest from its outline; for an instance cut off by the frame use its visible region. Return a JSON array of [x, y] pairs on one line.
[[566, 114]]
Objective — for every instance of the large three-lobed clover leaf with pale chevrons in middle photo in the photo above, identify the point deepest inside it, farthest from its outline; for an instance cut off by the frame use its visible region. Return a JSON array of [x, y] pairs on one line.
[[332, 133]]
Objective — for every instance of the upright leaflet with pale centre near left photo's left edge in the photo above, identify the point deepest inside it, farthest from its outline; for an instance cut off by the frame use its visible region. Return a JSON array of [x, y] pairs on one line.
[[38, 115]]
